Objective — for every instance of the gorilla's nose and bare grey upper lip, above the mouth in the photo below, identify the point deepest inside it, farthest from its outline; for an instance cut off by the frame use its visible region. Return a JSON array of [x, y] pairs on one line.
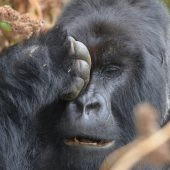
[[88, 116]]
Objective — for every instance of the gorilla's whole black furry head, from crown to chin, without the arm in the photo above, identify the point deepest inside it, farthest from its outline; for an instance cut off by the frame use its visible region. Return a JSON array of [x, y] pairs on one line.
[[127, 43]]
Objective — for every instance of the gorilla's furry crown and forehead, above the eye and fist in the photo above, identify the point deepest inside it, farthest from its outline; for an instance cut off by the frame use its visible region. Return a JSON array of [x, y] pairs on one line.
[[119, 26]]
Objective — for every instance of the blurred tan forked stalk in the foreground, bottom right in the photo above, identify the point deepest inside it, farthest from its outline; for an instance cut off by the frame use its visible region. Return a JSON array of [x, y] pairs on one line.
[[151, 144]]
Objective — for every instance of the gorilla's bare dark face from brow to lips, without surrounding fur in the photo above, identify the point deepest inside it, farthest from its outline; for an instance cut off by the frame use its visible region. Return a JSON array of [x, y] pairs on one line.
[[91, 120]]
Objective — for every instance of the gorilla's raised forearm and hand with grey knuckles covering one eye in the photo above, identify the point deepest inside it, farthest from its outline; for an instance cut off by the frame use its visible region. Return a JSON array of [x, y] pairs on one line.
[[39, 71]]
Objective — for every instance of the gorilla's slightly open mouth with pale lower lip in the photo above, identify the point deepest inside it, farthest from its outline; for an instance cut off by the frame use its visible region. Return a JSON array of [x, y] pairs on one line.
[[80, 141]]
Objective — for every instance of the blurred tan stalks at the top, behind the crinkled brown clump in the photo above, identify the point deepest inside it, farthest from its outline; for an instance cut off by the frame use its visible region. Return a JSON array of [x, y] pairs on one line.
[[48, 10]]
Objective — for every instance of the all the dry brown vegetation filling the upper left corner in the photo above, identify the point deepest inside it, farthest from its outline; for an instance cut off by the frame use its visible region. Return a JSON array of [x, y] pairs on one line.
[[23, 25]]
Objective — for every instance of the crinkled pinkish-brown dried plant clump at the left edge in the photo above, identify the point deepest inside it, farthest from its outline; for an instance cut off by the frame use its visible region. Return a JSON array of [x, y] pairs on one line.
[[22, 26]]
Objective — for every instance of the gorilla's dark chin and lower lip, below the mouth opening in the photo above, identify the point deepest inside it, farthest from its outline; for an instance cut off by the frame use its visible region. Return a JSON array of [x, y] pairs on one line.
[[82, 156]]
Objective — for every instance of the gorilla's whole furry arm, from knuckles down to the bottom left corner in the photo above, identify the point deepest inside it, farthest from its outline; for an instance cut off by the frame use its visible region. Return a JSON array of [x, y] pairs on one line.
[[32, 75]]
